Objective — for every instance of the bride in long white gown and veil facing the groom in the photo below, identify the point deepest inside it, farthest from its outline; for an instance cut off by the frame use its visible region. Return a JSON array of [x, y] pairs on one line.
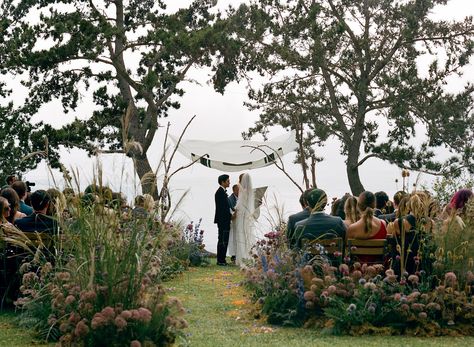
[[244, 223]]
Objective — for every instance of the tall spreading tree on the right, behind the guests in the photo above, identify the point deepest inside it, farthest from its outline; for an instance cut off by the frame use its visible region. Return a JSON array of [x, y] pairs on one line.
[[349, 69]]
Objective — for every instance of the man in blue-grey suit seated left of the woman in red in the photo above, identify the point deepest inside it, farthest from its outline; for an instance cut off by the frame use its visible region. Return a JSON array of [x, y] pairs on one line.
[[318, 224]]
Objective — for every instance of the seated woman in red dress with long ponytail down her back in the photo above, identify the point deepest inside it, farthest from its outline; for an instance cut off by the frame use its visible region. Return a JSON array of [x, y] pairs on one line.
[[368, 226]]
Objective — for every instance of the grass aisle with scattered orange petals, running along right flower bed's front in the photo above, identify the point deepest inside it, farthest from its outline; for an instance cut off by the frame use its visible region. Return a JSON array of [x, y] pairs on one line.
[[220, 314]]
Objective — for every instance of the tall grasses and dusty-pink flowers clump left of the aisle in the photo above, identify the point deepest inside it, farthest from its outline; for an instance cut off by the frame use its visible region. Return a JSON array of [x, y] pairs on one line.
[[104, 287]]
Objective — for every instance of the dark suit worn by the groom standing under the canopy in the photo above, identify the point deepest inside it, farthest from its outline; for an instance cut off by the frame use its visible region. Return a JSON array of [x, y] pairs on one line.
[[222, 219]]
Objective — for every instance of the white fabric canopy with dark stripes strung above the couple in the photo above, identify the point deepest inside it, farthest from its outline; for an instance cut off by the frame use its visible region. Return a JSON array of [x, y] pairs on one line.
[[232, 156]]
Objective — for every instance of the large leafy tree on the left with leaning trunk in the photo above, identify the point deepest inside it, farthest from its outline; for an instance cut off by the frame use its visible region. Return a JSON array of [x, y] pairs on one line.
[[131, 56]]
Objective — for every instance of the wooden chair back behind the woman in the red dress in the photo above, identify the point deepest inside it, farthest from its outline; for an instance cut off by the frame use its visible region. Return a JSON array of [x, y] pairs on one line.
[[368, 251]]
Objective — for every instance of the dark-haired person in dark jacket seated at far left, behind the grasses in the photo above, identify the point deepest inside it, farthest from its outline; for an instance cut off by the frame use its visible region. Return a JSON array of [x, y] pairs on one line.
[[38, 221]]
